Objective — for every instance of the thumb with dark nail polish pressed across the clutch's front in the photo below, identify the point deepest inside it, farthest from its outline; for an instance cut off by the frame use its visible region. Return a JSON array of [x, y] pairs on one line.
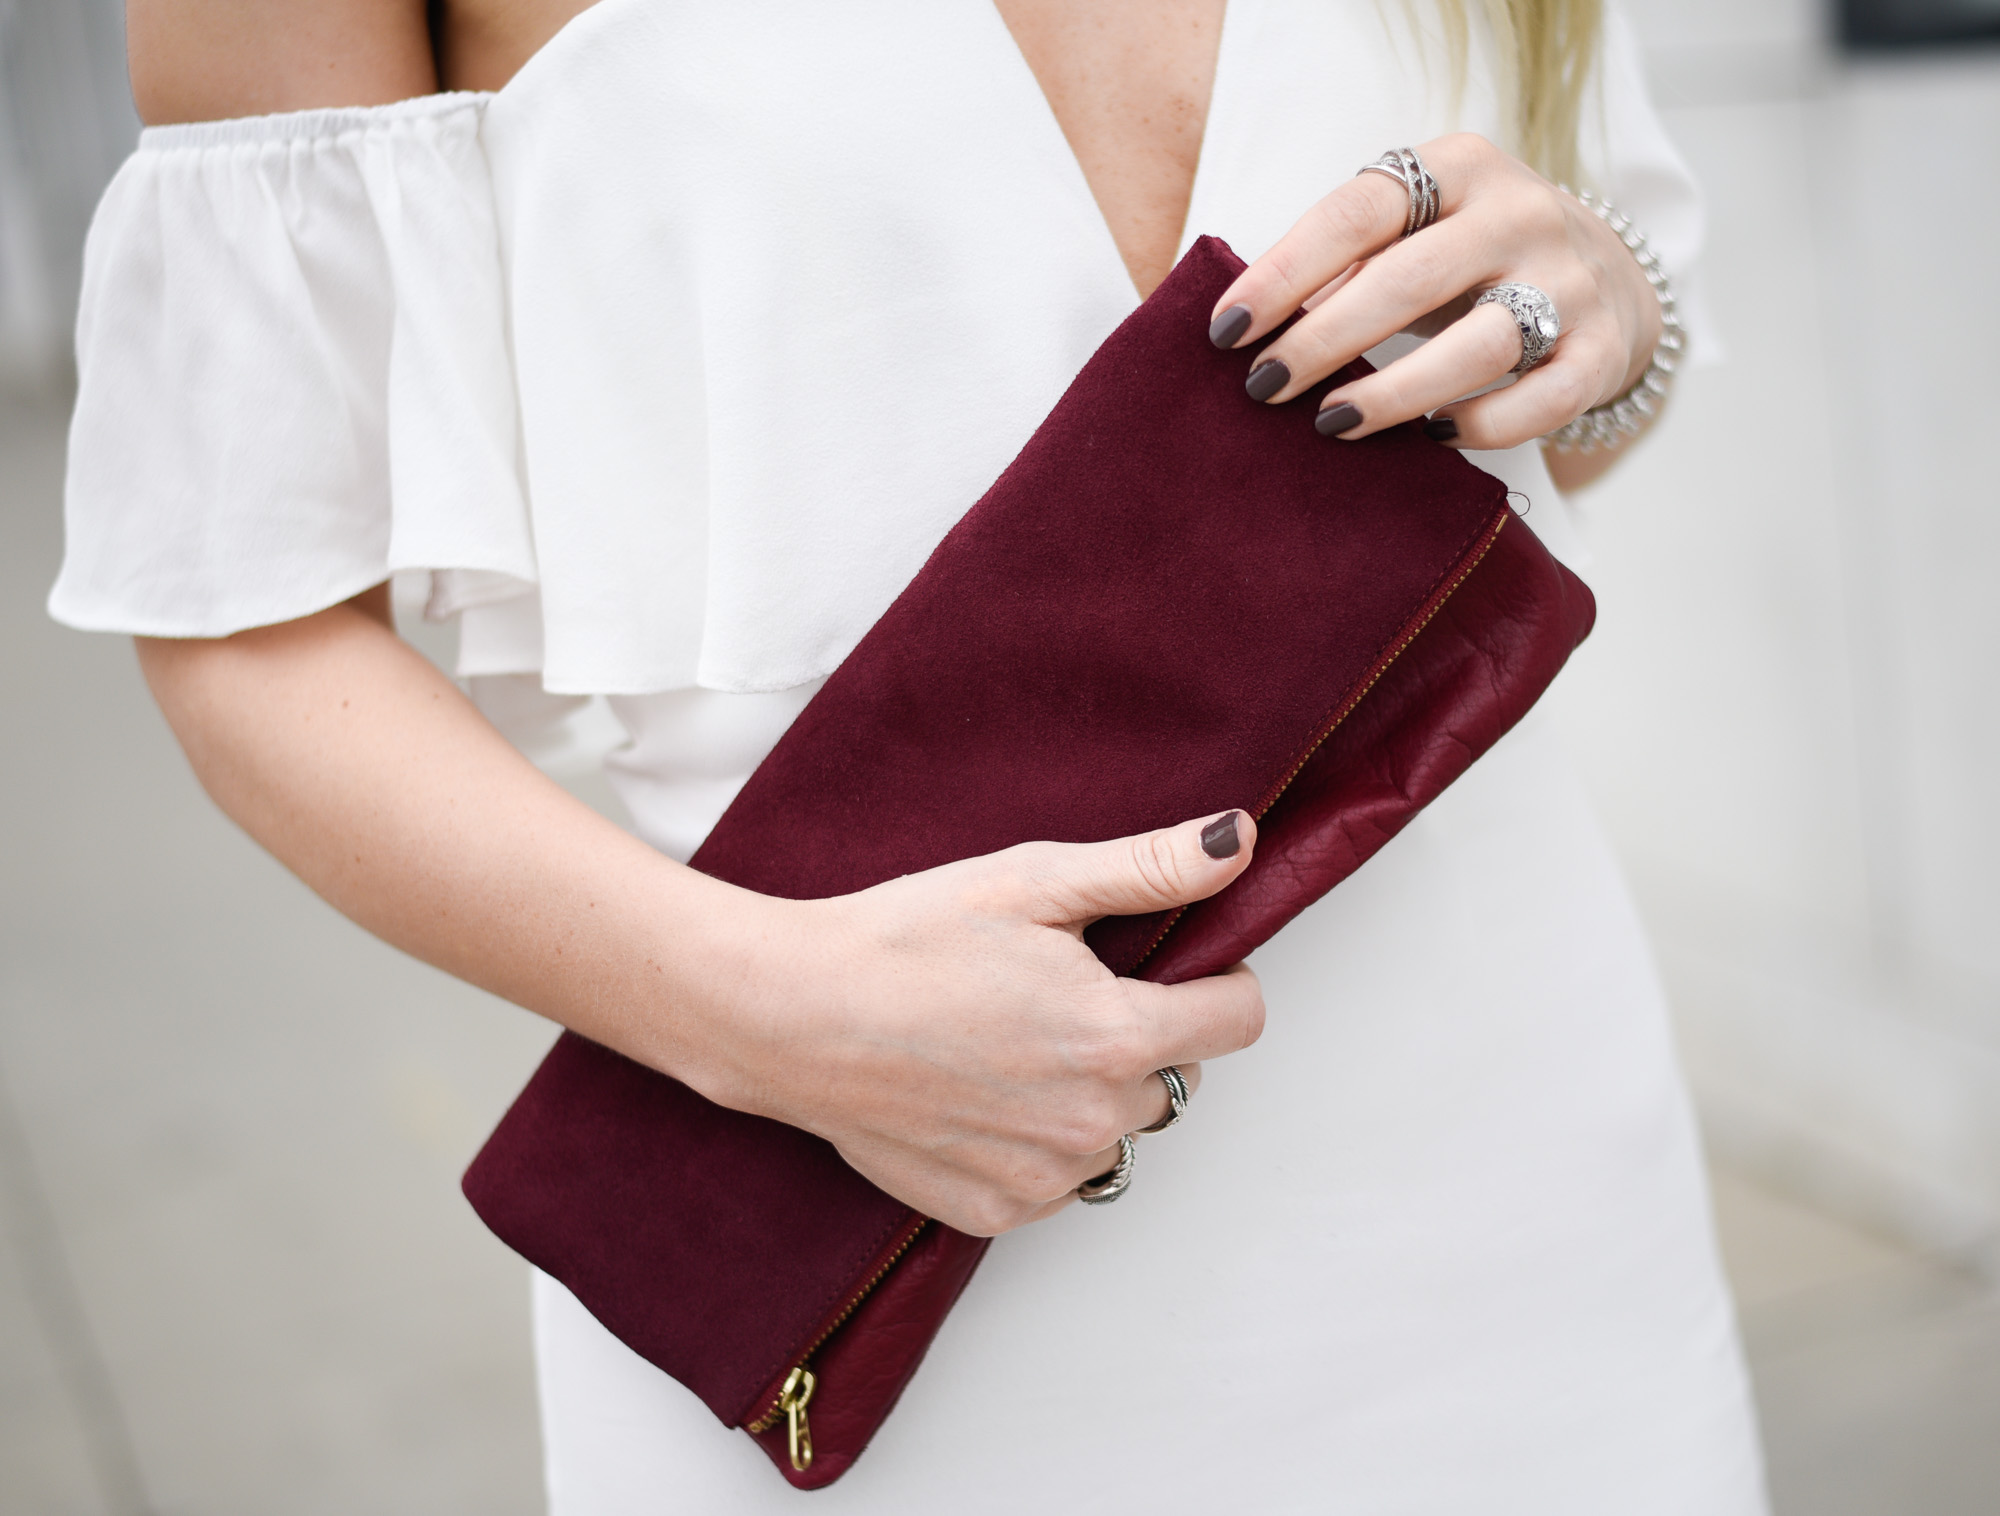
[[1151, 871]]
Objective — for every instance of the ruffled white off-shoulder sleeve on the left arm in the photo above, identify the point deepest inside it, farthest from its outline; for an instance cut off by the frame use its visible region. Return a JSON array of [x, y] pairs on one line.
[[293, 375]]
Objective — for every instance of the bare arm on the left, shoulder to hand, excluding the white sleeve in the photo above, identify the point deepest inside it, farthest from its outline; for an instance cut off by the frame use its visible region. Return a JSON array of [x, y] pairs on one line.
[[949, 1033]]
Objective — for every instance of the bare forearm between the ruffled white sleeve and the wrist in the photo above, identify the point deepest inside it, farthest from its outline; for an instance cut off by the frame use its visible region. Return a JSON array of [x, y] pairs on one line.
[[373, 779]]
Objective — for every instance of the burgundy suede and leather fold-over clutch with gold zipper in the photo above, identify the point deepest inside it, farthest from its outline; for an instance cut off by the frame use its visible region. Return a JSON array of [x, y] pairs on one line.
[[1173, 603]]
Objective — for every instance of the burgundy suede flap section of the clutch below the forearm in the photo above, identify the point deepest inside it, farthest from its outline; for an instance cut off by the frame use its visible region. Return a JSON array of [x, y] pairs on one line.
[[707, 1241]]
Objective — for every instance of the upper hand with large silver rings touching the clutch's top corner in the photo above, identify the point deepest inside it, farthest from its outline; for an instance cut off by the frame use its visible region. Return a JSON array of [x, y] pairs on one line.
[[1499, 223]]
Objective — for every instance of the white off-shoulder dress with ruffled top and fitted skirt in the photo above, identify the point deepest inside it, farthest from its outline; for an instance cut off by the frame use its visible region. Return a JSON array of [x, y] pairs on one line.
[[669, 365]]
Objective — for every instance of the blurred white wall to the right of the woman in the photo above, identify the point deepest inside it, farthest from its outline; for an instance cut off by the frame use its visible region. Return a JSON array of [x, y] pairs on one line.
[[1789, 715]]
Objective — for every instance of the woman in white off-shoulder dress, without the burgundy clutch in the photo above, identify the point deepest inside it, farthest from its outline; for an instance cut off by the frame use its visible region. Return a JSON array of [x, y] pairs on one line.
[[669, 353]]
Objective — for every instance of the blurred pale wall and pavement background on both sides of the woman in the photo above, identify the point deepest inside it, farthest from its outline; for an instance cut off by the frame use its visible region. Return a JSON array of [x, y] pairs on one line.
[[235, 1271]]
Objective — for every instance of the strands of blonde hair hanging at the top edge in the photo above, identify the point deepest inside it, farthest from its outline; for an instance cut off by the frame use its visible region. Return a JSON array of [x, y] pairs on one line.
[[1543, 57]]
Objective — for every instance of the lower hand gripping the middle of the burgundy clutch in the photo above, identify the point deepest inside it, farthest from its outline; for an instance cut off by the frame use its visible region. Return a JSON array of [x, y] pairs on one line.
[[955, 1039]]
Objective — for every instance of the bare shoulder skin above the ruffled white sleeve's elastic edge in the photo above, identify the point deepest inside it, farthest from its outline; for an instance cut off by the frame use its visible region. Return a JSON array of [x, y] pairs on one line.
[[217, 59]]
